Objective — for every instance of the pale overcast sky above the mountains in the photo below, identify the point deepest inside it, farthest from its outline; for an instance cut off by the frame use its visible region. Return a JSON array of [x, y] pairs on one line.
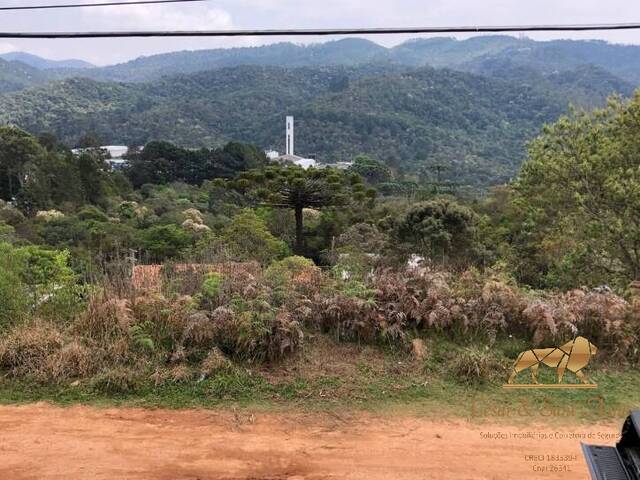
[[245, 14]]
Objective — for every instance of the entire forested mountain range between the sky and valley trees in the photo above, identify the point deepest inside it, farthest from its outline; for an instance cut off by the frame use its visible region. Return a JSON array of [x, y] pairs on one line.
[[470, 118]]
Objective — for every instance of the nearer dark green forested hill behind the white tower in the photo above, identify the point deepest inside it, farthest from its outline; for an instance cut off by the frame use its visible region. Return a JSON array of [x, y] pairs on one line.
[[405, 117]]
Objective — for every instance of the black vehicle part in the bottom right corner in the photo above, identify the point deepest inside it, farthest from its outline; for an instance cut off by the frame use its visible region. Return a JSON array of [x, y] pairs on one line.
[[621, 462]]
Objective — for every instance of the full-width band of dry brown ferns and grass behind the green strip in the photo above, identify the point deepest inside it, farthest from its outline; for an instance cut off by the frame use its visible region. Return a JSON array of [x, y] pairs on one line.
[[261, 317]]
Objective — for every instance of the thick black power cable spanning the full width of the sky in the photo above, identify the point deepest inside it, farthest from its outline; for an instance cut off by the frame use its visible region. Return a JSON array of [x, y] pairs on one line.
[[322, 31]]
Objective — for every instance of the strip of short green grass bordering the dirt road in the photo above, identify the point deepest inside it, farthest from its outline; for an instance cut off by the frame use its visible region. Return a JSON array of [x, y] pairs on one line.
[[451, 380]]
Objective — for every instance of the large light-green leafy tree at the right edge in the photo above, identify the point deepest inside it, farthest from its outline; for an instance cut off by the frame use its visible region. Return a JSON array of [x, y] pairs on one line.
[[580, 193]]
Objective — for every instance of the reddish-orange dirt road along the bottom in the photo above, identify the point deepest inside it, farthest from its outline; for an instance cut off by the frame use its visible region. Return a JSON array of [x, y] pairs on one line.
[[40, 441]]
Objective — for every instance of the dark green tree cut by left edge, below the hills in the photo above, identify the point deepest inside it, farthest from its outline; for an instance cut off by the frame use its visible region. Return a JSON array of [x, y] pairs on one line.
[[17, 149]]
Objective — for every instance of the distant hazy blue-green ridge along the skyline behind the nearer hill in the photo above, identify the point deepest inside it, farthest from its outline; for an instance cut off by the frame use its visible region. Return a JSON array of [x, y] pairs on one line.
[[468, 55]]
